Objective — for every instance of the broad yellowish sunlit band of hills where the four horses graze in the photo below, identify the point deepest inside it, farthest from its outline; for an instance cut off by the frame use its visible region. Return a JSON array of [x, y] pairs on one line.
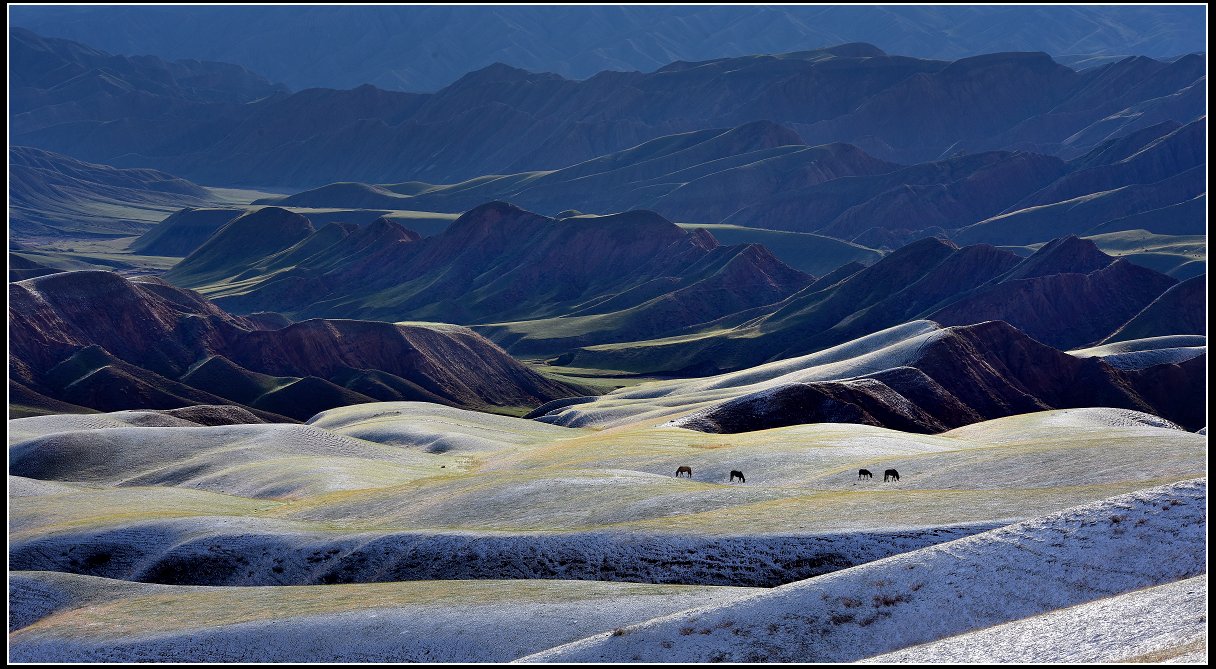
[[510, 475]]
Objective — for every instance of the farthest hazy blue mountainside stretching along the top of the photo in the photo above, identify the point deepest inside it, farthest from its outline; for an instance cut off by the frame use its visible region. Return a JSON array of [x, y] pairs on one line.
[[426, 48]]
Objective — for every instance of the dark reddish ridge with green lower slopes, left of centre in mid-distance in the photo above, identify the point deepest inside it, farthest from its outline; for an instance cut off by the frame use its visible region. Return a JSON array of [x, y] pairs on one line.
[[609, 278]]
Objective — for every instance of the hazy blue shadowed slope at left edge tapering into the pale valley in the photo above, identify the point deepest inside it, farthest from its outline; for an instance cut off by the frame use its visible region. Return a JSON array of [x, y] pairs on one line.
[[54, 195]]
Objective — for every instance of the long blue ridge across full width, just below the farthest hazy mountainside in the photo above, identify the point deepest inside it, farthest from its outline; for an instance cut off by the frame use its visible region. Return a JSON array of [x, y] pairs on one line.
[[502, 120]]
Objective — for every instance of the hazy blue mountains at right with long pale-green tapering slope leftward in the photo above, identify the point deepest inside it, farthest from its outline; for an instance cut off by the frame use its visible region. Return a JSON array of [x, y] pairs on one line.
[[762, 176]]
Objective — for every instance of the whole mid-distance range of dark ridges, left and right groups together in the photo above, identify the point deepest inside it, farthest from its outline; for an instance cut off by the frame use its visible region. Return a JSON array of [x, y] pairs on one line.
[[635, 293]]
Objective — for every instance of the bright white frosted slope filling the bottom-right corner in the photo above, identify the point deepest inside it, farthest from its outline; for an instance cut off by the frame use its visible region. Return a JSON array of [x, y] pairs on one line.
[[1146, 626]]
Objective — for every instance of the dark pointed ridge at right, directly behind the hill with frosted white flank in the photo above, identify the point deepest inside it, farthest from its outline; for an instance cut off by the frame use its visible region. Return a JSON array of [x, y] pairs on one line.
[[1067, 295]]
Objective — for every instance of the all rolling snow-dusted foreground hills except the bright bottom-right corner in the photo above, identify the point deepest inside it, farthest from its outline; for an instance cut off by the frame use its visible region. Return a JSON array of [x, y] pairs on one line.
[[369, 508]]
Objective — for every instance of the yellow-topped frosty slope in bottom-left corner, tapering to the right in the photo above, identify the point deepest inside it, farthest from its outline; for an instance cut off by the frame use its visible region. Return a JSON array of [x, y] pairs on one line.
[[444, 621]]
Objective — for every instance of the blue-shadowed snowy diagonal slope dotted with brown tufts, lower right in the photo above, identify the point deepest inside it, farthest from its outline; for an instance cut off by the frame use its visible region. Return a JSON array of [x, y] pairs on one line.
[[1125, 543]]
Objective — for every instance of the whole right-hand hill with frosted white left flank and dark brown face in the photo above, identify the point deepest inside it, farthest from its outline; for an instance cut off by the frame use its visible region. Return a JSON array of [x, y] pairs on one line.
[[916, 378]]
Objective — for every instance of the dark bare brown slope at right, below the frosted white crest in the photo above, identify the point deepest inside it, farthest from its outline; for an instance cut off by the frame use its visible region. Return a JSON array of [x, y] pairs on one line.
[[967, 375]]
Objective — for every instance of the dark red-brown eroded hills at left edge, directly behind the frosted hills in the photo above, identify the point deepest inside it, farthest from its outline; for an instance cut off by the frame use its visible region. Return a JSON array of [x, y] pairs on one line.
[[98, 340]]
